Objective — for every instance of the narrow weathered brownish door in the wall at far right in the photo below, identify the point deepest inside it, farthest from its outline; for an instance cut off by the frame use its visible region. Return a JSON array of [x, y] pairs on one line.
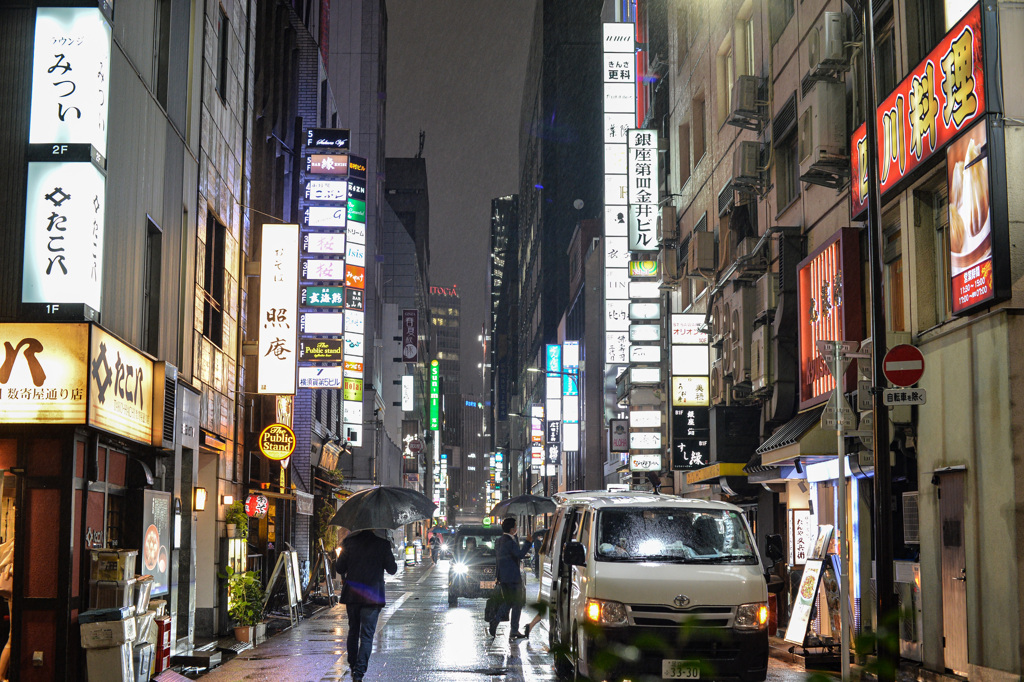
[[954, 570]]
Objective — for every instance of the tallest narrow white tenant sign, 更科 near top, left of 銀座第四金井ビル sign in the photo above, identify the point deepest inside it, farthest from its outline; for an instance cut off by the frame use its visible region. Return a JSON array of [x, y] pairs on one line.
[[619, 64]]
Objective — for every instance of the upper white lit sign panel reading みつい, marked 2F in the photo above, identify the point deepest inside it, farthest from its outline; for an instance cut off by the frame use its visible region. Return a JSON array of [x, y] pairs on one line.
[[70, 78]]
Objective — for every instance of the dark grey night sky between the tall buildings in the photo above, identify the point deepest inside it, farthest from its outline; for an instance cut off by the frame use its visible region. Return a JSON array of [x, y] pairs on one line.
[[456, 70]]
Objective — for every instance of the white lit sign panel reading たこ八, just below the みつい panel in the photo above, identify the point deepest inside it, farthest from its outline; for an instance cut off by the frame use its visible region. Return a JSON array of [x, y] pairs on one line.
[[64, 235]]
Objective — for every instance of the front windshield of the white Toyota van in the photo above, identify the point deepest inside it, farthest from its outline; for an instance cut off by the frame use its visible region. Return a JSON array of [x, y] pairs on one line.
[[686, 536]]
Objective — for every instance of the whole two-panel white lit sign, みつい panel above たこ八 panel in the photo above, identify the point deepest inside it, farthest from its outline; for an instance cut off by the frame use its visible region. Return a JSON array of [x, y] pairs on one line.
[[66, 199]]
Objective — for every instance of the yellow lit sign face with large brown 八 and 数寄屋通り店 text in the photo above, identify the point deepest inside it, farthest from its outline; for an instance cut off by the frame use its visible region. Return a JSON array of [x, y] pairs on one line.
[[44, 375]]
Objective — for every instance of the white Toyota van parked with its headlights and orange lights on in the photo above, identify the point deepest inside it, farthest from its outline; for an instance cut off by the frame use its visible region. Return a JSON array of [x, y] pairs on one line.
[[643, 585]]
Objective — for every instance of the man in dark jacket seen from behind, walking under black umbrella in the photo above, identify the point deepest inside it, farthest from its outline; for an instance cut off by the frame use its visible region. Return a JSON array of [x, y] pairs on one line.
[[365, 557]]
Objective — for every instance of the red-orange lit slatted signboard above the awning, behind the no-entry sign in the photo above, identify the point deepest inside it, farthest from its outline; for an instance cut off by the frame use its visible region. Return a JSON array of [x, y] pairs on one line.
[[829, 289]]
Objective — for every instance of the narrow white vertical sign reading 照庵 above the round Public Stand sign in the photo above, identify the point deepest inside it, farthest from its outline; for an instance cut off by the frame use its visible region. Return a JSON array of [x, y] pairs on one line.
[[278, 310]]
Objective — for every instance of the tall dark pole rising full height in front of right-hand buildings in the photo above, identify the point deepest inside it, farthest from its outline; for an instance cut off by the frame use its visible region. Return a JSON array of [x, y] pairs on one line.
[[886, 605]]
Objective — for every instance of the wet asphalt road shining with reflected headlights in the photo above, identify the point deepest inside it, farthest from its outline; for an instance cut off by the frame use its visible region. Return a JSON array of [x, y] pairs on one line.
[[419, 640]]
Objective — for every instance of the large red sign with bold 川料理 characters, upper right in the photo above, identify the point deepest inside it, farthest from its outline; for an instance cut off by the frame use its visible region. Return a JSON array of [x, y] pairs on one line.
[[941, 98]]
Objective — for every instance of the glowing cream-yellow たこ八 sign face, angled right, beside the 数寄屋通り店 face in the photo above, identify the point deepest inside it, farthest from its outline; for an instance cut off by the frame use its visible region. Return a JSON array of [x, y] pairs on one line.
[[120, 388]]
